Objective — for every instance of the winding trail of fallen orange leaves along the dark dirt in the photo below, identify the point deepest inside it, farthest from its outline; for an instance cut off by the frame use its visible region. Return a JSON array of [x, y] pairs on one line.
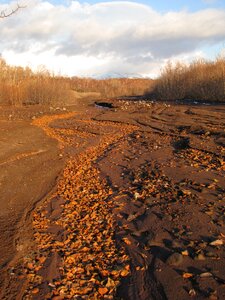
[[89, 264]]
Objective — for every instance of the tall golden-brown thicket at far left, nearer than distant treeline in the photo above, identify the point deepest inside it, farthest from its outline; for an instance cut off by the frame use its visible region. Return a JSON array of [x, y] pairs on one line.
[[20, 86]]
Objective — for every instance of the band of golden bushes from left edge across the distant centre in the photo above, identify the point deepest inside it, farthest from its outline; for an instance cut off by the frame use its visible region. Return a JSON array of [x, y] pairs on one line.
[[21, 86]]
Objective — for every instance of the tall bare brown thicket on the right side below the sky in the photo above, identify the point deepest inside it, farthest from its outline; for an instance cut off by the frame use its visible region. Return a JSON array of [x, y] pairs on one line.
[[201, 80]]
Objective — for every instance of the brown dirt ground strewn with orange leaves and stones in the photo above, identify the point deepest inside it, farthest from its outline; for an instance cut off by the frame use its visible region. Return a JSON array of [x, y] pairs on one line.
[[120, 203]]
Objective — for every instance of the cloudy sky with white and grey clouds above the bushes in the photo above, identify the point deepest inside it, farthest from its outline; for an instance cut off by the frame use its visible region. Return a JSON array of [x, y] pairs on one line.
[[96, 38]]
